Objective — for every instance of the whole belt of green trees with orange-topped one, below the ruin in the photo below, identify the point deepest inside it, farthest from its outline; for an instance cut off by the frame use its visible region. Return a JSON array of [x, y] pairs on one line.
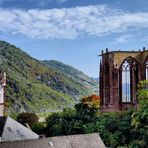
[[117, 129]]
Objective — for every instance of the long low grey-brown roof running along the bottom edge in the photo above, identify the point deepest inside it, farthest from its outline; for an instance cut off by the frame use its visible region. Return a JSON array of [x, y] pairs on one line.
[[73, 141]]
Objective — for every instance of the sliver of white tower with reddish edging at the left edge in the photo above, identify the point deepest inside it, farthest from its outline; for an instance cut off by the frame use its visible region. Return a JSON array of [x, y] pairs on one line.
[[2, 93]]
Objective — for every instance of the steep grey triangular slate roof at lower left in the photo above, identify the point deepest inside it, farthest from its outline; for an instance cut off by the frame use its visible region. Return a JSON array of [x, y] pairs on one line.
[[12, 130]]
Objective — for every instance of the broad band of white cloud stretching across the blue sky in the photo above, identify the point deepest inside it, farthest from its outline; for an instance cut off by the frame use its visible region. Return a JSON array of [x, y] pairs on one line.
[[70, 23]]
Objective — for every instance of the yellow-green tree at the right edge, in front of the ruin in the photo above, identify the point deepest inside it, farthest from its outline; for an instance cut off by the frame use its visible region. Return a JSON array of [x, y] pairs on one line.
[[140, 117]]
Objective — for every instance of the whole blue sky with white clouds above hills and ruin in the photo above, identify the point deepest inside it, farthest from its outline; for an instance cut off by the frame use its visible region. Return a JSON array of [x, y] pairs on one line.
[[74, 31]]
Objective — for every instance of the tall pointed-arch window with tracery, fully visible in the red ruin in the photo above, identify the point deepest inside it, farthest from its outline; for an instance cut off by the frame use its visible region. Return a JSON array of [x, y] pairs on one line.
[[126, 81]]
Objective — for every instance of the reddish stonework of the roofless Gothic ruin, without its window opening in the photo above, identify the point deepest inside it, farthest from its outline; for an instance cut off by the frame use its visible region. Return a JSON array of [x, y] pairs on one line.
[[110, 78]]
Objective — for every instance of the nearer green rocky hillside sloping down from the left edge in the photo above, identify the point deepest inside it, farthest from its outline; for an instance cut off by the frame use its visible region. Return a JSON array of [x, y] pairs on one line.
[[33, 86]]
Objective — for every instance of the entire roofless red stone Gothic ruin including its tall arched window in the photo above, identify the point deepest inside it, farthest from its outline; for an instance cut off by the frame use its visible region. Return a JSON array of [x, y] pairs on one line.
[[120, 72]]
